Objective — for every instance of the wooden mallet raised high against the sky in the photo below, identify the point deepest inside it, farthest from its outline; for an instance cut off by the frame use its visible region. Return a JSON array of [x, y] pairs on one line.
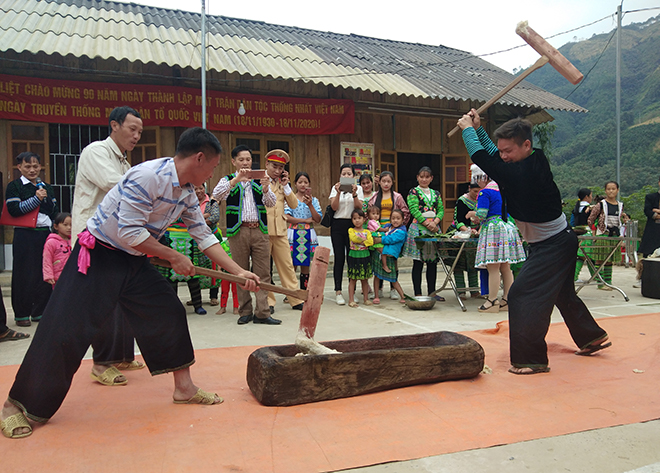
[[548, 54]]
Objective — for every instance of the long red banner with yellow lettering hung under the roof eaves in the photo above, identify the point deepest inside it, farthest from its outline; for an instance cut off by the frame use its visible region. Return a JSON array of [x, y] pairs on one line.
[[90, 103]]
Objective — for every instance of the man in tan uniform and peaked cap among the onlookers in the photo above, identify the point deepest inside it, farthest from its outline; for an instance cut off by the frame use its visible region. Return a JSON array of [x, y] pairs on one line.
[[280, 250]]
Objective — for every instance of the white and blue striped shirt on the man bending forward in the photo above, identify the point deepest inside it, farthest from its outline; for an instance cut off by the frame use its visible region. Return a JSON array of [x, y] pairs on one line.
[[146, 201]]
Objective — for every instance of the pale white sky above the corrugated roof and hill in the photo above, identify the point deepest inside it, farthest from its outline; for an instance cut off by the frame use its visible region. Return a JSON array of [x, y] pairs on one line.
[[477, 26]]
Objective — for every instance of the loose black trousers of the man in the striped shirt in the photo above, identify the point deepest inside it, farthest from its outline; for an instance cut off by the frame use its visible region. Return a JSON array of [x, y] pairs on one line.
[[81, 309]]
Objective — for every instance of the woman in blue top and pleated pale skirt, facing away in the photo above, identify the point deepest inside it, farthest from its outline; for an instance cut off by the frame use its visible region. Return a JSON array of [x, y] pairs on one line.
[[499, 244]]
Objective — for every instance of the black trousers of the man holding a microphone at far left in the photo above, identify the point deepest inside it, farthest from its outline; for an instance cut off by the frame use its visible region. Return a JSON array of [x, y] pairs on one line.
[[29, 291]]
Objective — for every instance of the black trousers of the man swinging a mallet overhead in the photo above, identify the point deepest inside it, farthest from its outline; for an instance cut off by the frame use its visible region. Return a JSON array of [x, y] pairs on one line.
[[546, 280]]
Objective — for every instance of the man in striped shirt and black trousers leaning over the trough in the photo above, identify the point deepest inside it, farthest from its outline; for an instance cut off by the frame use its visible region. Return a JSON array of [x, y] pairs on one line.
[[109, 266]]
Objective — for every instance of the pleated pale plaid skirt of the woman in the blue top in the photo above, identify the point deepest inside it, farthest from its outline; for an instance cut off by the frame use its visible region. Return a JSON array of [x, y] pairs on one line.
[[499, 242]]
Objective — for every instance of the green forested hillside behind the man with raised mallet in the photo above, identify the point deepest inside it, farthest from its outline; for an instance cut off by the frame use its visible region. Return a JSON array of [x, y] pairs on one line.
[[584, 144]]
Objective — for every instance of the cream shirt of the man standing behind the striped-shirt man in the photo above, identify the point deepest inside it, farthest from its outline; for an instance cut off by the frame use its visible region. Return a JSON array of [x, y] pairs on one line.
[[100, 167]]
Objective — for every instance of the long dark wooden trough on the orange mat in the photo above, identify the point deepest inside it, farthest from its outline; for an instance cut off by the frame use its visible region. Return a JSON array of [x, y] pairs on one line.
[[277, 377]]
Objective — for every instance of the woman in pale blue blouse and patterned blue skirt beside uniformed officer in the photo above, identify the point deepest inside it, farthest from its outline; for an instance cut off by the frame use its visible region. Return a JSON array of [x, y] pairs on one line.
[[302, 236]]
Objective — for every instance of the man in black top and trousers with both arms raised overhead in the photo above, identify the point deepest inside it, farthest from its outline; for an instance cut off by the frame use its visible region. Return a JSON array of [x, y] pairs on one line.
[[546, 279]]
